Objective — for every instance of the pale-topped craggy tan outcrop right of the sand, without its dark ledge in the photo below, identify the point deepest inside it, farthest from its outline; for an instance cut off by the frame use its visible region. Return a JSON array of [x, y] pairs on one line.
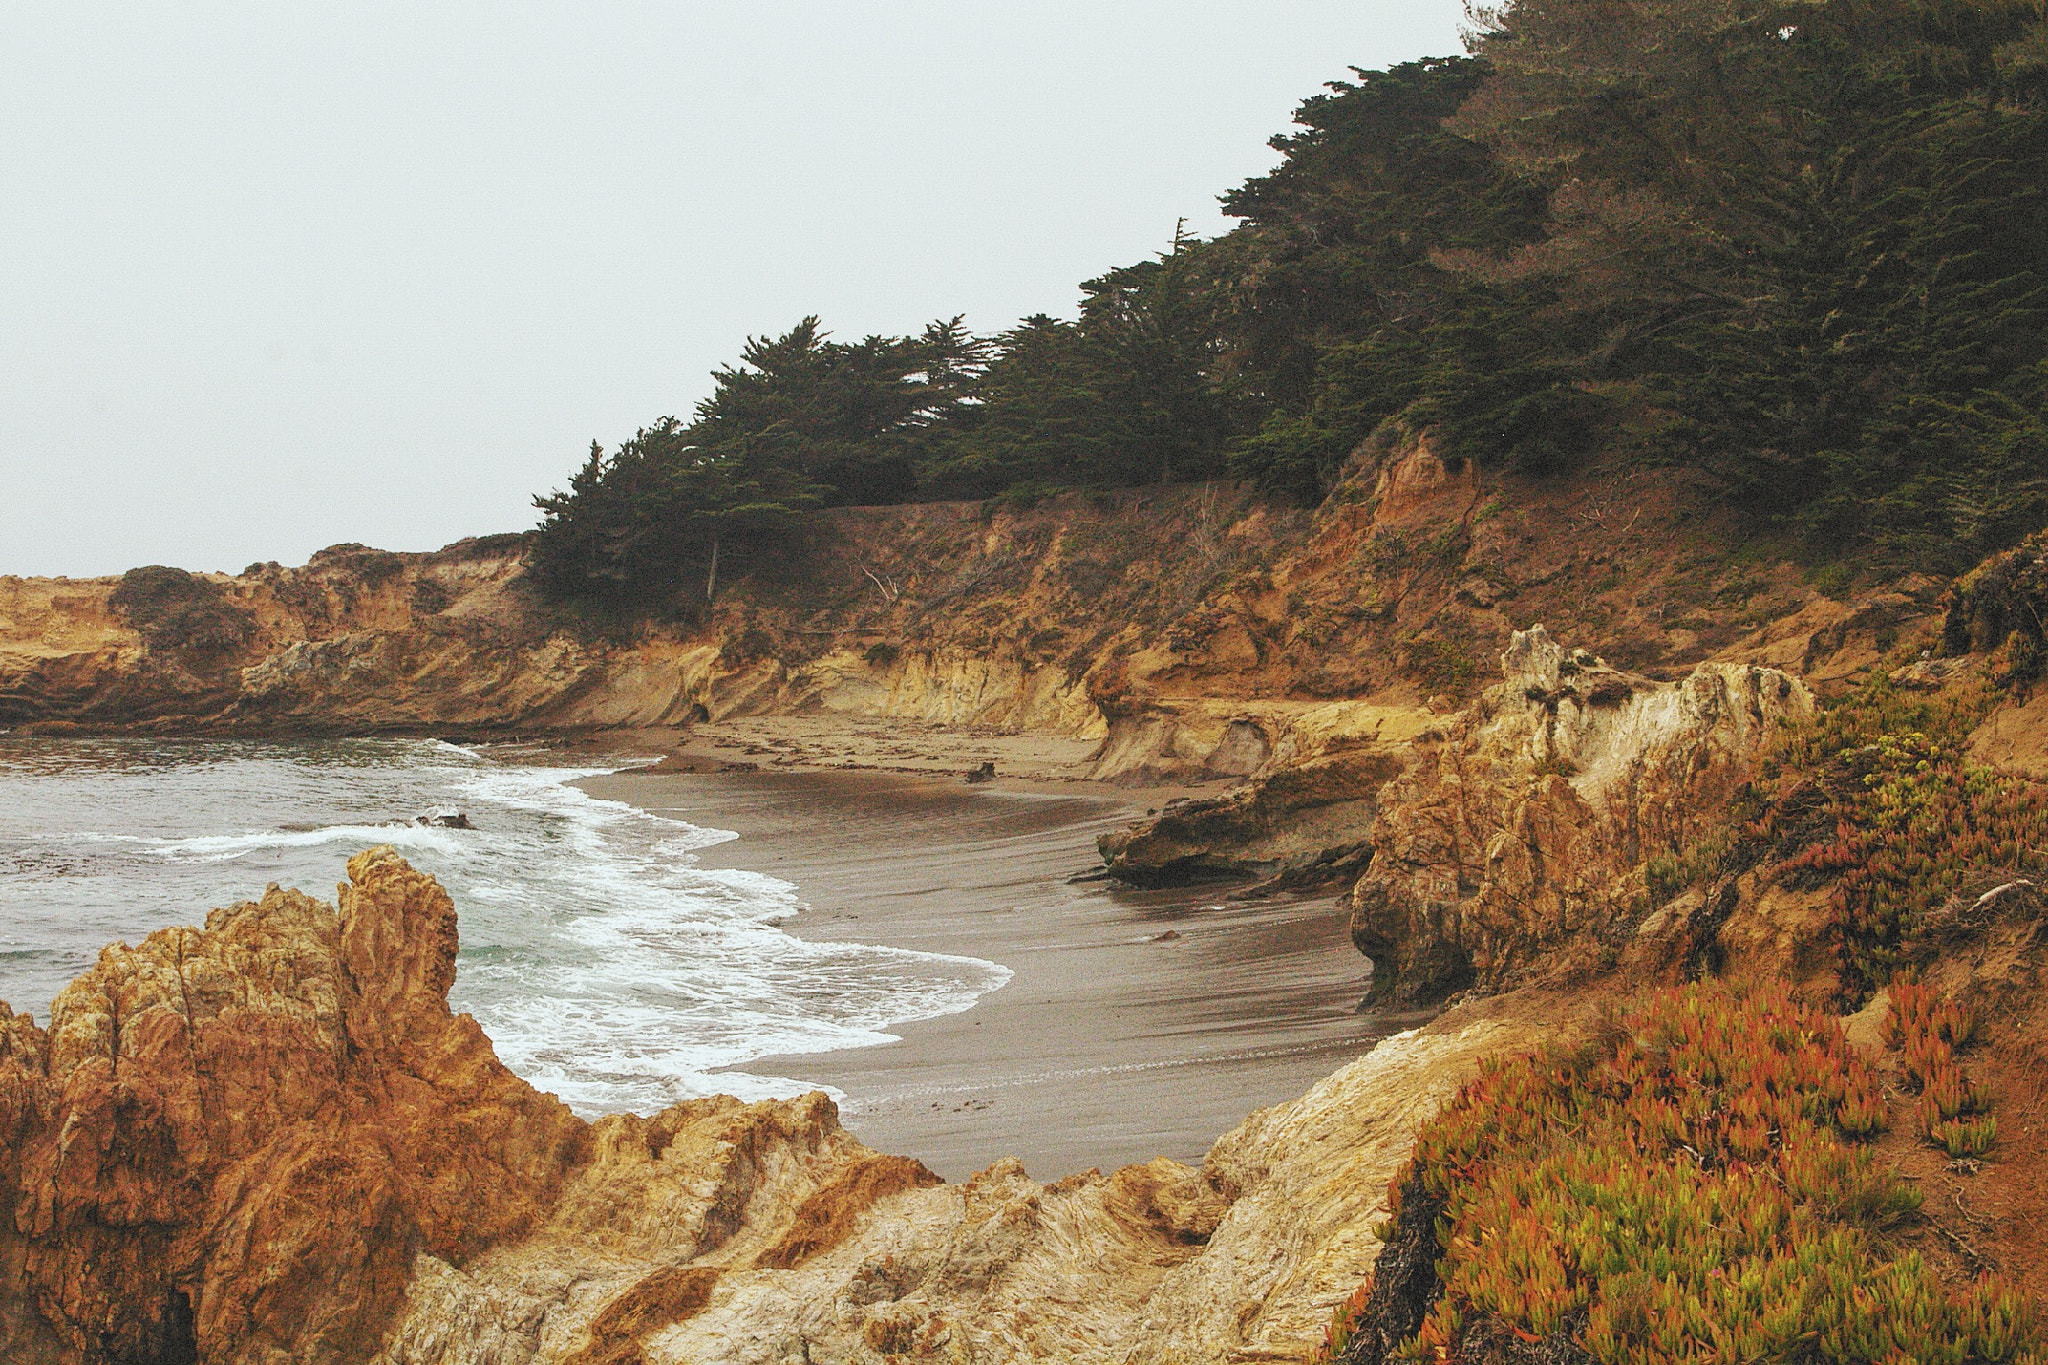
[[1523, 842]]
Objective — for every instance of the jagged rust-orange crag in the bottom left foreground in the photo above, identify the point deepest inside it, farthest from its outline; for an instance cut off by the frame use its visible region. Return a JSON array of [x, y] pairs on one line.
[[234, 1141]]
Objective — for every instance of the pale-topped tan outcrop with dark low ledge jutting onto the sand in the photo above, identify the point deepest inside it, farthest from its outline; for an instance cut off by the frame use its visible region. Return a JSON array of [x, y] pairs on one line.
[[1523, 840]]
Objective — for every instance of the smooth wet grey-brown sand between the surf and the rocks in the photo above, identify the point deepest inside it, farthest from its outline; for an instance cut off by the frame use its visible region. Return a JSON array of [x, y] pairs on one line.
[[1138, 1024]]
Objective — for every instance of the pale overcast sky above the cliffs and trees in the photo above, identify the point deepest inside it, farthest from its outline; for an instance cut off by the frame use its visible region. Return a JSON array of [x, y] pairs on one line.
[[284, 275]]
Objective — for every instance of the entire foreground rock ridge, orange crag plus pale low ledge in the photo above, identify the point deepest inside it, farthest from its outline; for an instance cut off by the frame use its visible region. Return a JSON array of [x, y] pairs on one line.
[[269, 1141]]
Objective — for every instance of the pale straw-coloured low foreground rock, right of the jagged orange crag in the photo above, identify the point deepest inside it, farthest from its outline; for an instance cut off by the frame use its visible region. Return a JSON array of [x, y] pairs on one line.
[[1240, 1260]]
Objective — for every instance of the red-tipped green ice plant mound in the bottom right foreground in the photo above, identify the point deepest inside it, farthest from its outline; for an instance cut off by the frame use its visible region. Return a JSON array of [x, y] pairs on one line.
[[1697, 1190]]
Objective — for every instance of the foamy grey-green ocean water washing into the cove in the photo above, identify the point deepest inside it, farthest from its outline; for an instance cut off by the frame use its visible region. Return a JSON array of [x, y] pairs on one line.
[[601, 959]]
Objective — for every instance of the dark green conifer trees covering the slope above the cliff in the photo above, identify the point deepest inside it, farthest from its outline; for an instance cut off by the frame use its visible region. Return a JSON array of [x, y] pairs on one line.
[[1795, 249]]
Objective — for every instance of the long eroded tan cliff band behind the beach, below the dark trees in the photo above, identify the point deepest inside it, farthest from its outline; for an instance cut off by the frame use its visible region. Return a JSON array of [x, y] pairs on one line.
[[1187, 633]]
